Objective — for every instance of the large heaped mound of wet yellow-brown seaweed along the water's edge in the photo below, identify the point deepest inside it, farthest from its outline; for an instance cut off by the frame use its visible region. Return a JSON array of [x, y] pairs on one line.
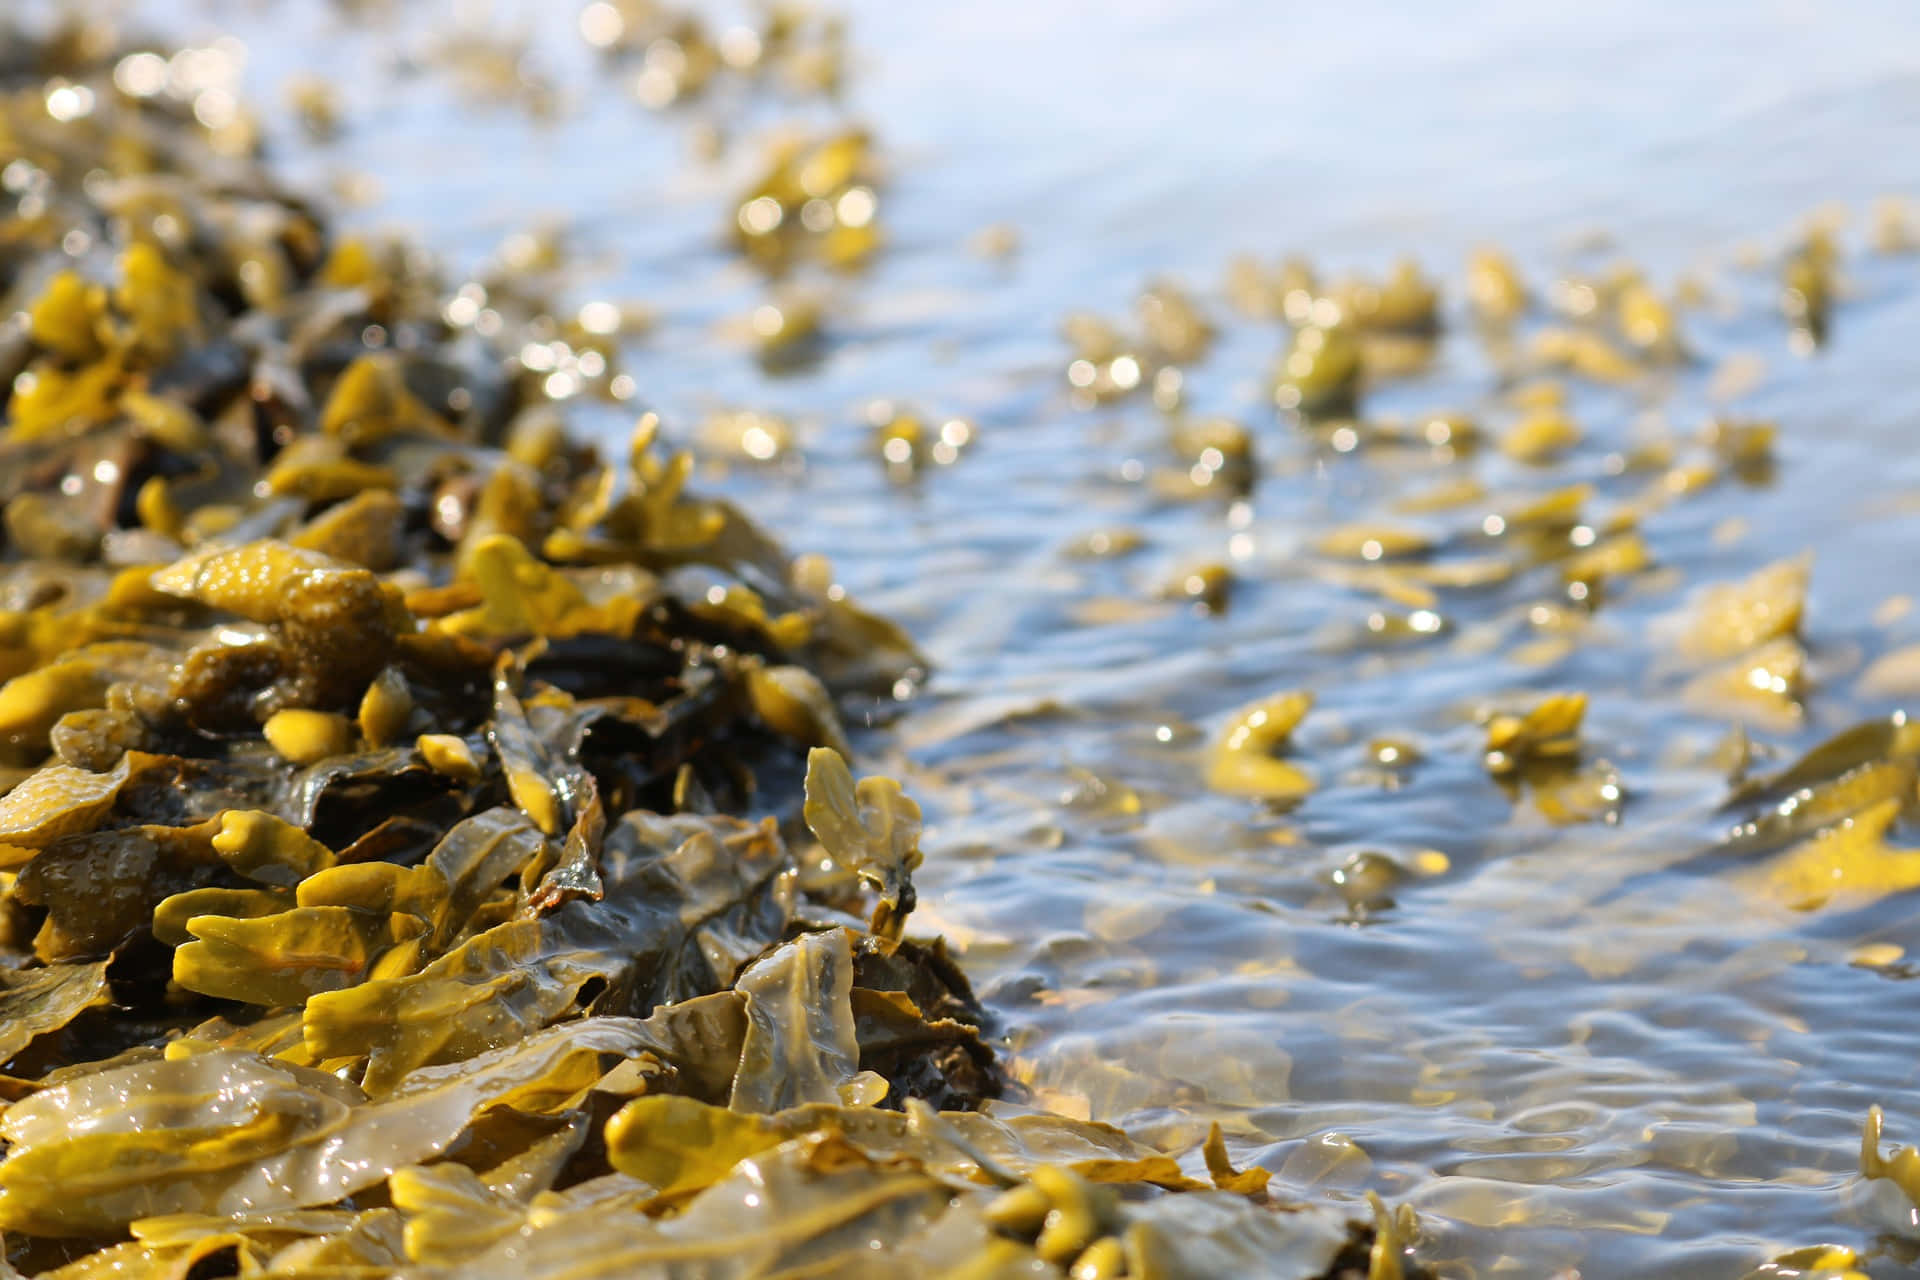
[[393, 845]]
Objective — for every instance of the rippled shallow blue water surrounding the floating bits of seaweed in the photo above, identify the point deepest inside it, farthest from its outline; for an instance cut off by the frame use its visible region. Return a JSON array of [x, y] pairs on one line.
[[1577, 1047]]
